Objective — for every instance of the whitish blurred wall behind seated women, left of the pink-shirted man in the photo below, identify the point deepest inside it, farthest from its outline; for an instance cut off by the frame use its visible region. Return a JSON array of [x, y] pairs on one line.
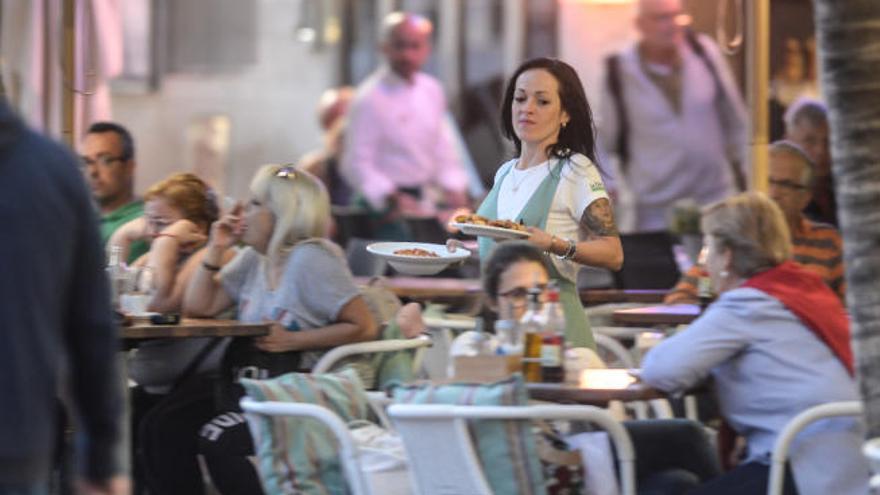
[[271, 106]]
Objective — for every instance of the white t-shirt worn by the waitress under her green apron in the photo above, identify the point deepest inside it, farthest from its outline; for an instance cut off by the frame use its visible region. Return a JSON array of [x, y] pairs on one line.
[[579, 185]]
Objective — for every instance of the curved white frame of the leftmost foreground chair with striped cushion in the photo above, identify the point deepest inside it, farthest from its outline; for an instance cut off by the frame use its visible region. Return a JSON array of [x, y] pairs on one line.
[[349, 456]]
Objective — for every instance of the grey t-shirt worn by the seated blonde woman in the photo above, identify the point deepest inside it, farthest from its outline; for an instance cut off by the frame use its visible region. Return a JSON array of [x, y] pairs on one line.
[[314, 288]]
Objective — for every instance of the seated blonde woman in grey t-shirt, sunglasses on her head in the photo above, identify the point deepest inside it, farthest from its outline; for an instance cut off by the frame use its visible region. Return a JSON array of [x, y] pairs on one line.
[[289, 274]]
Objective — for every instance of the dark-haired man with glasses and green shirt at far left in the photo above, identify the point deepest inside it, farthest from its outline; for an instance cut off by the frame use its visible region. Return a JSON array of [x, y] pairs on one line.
[[107, 161]]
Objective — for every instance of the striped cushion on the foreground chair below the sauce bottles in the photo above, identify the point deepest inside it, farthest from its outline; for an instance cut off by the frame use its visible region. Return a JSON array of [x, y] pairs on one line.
[[505, 448]]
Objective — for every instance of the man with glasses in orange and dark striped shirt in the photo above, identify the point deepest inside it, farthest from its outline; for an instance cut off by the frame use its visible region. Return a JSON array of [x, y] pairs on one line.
[[816, 246]]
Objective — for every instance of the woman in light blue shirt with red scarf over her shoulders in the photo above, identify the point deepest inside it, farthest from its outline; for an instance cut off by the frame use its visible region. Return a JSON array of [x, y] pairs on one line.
[[776, 342]]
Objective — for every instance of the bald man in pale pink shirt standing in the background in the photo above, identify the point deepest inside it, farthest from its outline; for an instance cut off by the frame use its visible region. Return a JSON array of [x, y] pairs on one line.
[[397, 144]]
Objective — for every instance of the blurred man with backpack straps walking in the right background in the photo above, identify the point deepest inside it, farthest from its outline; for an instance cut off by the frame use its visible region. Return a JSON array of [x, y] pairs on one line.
[[672, 116]]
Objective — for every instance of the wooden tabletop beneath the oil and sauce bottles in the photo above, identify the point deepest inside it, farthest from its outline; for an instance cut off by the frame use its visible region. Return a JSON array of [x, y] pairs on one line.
[[594, 395]]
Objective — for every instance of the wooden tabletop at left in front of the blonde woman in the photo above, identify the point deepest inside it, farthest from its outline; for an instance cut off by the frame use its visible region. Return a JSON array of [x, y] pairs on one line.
[[195, 327]]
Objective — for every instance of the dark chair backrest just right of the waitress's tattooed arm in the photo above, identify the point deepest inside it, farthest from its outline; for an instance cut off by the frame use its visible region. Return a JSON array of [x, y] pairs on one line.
[[649, 262]]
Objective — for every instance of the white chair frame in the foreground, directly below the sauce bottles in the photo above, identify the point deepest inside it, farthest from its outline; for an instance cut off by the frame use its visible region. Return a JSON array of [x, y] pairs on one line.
[[442, 456]]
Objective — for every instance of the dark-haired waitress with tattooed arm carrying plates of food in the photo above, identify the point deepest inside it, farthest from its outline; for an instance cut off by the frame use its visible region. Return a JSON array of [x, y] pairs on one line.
[[554, 186]]
